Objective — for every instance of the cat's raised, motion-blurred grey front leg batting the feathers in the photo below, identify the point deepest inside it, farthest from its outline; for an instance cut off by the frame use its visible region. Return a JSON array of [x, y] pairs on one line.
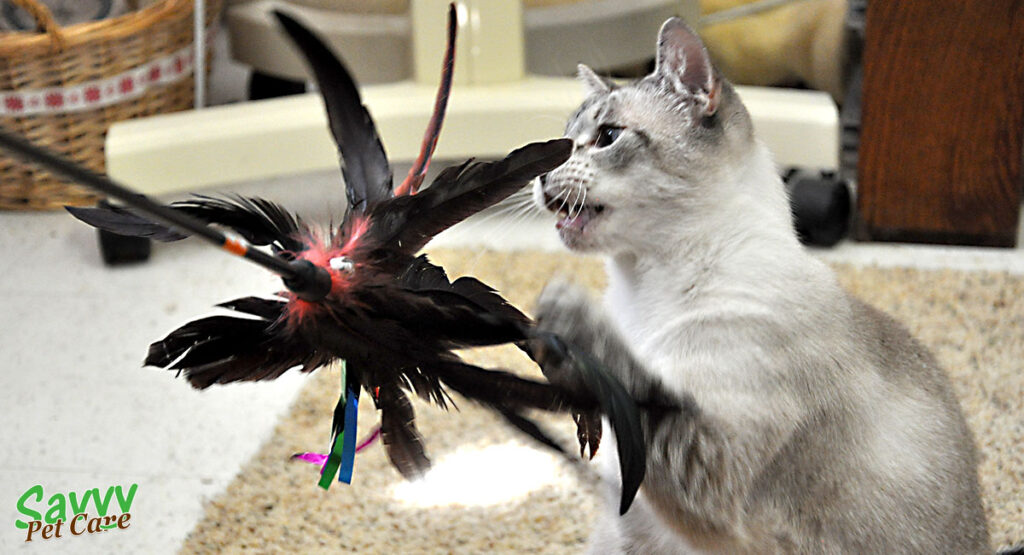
[[700, 466]]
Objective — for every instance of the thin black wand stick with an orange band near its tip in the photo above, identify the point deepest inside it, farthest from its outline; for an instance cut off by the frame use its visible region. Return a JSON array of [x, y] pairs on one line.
[[308, 281]]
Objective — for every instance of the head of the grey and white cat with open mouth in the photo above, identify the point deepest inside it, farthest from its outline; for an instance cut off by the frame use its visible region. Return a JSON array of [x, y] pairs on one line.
[[654, 153]]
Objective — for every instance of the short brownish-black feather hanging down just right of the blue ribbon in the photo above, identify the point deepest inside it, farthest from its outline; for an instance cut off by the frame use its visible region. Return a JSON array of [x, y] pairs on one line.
[[402, 441]]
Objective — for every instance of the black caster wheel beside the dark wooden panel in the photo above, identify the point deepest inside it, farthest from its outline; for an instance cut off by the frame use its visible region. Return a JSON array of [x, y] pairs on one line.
[[822, 205]]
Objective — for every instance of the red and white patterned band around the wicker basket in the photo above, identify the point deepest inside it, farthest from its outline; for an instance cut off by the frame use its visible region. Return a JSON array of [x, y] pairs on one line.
[[99, 94]]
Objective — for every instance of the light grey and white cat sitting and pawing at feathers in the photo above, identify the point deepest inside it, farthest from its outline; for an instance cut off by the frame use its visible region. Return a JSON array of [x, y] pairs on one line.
[[804, 420]]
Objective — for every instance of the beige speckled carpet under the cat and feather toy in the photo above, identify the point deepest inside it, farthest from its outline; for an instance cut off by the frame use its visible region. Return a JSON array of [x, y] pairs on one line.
[[491, 493]]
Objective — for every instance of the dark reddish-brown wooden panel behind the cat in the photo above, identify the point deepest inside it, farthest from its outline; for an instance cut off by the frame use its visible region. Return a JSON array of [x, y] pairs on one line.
[[944, 122]]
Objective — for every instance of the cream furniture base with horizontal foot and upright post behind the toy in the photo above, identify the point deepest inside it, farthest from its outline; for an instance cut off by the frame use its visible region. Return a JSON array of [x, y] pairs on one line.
[[495, 107]]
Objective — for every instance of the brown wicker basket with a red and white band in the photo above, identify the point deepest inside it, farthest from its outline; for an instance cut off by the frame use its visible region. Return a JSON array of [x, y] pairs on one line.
[[63, 90]]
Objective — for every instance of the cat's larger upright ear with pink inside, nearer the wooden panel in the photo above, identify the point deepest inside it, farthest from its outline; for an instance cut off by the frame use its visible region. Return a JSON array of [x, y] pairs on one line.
[[684, 59]]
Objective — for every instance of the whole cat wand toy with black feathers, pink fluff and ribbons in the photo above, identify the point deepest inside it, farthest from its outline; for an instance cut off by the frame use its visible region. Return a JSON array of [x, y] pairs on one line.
[[362, 294]]
